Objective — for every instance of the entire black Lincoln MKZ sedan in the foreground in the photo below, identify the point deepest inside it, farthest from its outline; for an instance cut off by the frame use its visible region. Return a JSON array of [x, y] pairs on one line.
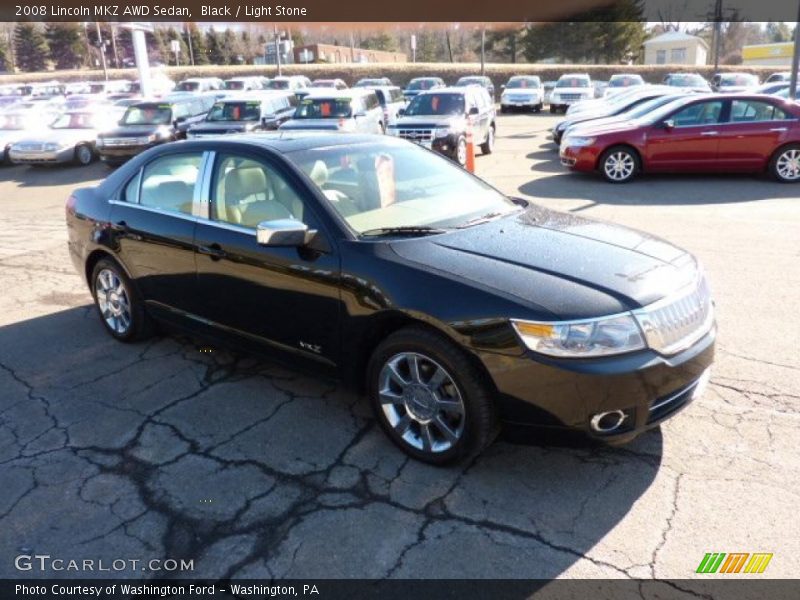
[[455, 307]]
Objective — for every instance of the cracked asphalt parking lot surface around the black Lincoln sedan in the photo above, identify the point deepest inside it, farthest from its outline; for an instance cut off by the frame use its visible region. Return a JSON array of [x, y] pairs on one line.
[[175, 449]]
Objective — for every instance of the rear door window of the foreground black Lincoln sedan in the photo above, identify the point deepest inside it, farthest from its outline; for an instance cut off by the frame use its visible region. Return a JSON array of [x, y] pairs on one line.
[[168, 182]]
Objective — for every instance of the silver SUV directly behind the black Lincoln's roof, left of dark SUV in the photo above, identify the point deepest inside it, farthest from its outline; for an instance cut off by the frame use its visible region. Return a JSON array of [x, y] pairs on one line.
[[354, 110]]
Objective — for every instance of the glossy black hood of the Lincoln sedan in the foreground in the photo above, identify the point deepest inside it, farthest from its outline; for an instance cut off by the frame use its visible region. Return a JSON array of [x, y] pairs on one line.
[[571, 266]]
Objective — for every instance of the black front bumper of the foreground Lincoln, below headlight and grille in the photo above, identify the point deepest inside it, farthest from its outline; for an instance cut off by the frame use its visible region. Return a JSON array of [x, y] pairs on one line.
[[557, 393]]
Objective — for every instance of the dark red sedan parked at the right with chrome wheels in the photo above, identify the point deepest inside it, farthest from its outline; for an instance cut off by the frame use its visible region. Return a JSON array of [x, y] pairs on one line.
[[708, 133]]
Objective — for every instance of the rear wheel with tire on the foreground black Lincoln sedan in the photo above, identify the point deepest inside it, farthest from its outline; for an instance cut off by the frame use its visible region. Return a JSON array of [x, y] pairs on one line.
[[118, 303]]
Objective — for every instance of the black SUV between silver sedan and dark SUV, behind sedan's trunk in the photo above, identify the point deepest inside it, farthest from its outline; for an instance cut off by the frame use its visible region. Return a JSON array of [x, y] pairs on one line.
[[147, 124]]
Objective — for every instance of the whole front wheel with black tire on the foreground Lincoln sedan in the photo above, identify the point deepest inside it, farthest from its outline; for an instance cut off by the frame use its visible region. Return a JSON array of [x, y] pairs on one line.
[[429, 398]]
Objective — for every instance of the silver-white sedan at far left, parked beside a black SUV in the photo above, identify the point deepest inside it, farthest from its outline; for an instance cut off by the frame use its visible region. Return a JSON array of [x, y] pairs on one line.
[[71, 138]]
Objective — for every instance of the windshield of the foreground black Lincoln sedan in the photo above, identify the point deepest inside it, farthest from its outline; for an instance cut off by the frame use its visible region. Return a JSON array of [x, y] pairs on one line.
[[385, 185]]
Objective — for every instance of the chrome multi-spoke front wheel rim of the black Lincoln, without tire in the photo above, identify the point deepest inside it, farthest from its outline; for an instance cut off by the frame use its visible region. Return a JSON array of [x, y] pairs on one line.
[[421, 402]]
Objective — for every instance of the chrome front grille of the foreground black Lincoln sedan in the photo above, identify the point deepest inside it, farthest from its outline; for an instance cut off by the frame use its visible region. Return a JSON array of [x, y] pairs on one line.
[[676, 323]]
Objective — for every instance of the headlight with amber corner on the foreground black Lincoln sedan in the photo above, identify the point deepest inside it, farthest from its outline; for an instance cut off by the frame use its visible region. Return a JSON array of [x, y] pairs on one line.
[[585, 338]]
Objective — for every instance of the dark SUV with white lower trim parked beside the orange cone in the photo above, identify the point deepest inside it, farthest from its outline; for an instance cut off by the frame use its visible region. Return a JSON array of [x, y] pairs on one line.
[[439, 120]]
